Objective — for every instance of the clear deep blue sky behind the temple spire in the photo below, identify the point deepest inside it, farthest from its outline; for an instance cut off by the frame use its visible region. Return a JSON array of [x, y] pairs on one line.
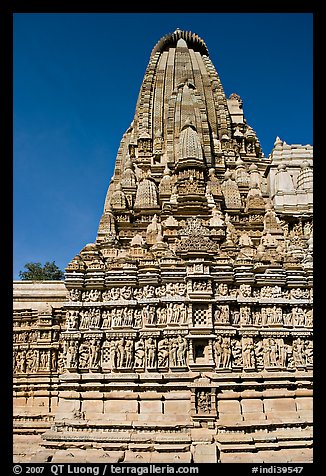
[[76, 81]]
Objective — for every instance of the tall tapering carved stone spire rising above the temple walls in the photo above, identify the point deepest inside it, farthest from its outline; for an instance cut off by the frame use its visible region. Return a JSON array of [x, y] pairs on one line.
[[183, 127]]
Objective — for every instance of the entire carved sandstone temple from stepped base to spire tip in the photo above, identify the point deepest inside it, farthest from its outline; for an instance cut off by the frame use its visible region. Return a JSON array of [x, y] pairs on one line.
[[187, 334]]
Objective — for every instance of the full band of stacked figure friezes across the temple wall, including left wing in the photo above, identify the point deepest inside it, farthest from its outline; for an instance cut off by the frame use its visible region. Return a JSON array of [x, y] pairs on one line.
[[91, 316]]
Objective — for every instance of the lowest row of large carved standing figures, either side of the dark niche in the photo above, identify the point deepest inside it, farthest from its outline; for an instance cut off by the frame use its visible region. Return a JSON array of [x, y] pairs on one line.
[[119, 352]]
